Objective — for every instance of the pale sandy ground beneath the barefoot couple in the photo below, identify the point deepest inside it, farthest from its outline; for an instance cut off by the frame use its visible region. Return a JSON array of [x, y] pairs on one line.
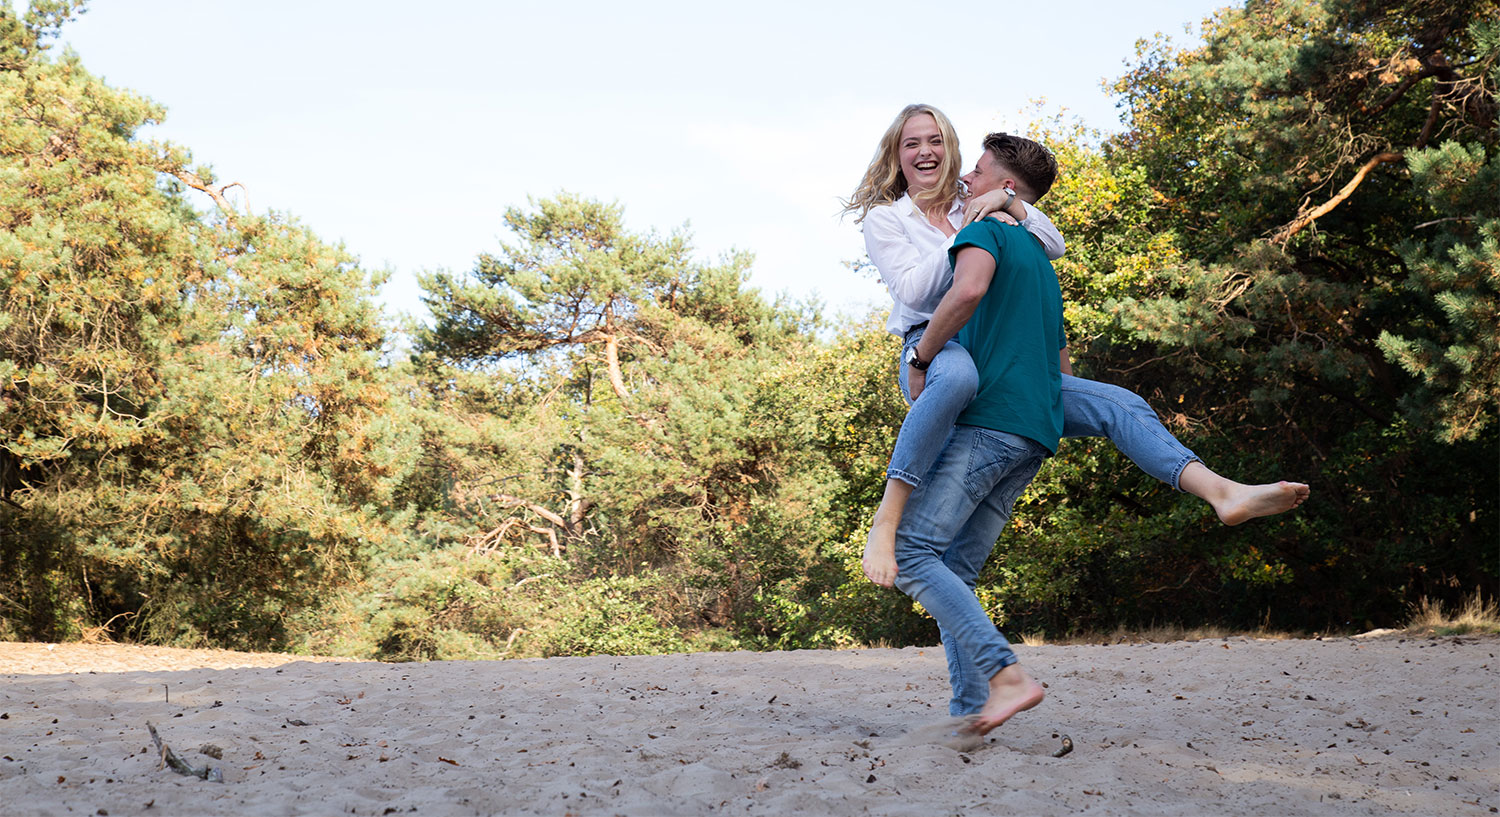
[[1385, 725]]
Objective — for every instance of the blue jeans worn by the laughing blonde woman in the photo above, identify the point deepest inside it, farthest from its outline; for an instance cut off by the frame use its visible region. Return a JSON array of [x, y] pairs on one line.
[[1090, 408]]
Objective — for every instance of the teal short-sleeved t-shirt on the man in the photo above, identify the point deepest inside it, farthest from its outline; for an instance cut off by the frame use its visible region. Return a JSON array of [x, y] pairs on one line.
[[1015, 337]]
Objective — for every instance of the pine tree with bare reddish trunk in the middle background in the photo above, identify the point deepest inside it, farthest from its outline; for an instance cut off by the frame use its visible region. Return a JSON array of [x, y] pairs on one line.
[[623, 434]]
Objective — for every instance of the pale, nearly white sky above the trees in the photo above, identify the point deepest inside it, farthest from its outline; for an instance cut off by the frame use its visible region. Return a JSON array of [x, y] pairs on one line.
[[406, 131]]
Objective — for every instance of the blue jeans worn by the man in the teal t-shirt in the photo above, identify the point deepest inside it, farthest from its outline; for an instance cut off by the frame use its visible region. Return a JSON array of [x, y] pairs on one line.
[[947, 533]]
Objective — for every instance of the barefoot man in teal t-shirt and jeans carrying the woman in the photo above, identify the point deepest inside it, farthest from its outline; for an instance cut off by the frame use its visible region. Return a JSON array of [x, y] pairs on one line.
[[1006, 308]]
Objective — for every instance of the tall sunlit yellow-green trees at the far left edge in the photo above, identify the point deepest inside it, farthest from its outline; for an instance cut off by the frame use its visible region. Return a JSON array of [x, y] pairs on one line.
[[196, 431]]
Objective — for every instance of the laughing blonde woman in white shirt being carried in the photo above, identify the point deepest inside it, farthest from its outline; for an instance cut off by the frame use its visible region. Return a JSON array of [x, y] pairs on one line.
[[911, 206]]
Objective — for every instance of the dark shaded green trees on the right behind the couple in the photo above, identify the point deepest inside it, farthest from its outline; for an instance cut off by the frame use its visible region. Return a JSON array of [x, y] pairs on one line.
[[1324, 311]]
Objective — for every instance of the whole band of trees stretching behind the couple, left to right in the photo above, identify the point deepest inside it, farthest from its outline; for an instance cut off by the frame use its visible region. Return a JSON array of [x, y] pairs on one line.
[[602, 444]]
